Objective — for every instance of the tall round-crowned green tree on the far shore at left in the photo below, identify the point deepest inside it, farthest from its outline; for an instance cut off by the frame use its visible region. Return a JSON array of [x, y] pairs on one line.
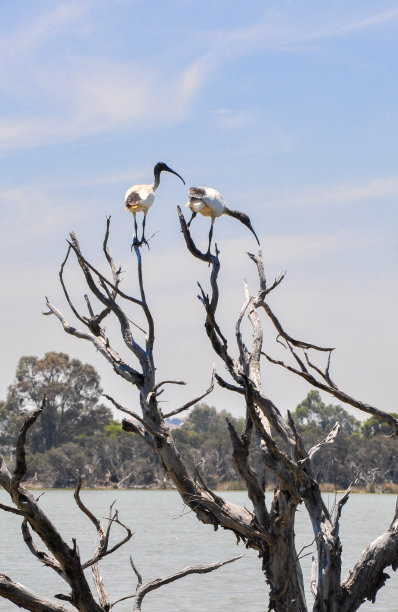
[[72, 390]]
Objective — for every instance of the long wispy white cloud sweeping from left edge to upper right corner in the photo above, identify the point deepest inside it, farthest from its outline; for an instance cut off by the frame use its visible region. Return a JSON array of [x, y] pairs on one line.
[[73, 97]]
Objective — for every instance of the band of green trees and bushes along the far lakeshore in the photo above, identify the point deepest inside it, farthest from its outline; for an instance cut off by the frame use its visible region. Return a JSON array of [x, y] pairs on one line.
[[77, 432]]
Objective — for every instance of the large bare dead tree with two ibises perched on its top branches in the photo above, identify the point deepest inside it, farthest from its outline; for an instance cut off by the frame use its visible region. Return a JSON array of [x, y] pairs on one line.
[[269, 529]]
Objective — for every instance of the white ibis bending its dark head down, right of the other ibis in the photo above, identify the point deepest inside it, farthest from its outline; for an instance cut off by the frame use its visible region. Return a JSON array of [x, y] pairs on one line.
[[209, 203]]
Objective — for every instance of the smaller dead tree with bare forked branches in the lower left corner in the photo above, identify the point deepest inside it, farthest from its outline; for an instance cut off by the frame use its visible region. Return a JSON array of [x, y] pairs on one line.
[[65, 559]]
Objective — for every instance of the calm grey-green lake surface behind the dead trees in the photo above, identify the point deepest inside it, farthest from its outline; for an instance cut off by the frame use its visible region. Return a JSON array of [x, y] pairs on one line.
[[168, 537]]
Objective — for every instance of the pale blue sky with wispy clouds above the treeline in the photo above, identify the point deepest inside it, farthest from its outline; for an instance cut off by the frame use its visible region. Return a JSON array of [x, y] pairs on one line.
[[288, 109]]
